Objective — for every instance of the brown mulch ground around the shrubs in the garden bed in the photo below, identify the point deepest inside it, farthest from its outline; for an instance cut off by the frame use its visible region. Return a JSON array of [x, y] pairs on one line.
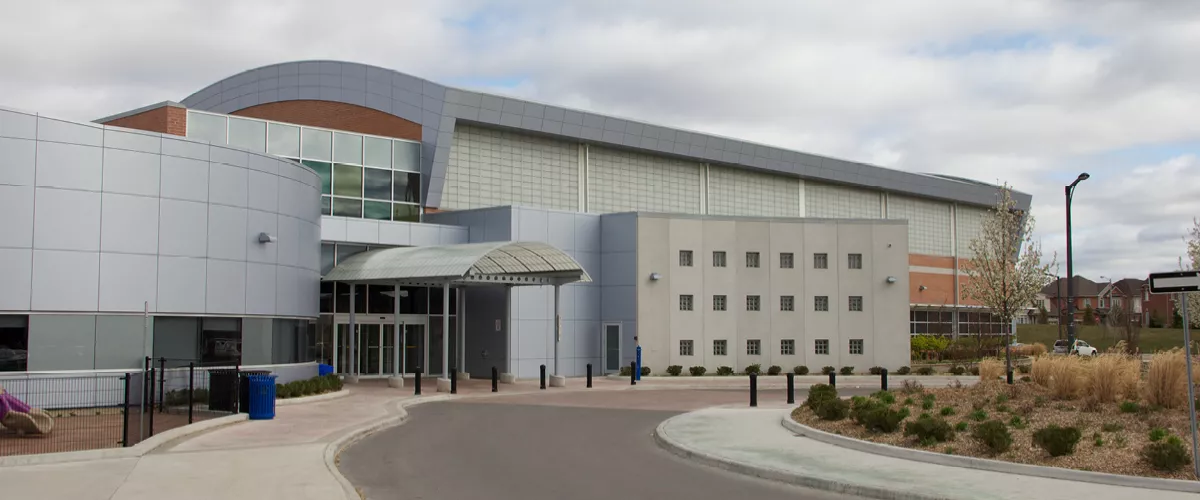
[[1115, 453]]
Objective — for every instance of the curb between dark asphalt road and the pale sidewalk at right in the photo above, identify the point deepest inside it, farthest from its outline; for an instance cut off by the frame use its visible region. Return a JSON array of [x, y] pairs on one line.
[[663, 438]]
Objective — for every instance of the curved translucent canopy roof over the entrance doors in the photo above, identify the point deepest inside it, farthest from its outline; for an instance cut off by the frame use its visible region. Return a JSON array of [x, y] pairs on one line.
[[499, 263]]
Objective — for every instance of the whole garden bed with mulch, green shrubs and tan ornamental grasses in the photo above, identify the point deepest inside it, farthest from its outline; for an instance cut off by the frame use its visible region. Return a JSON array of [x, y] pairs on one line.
[[1099, 414]]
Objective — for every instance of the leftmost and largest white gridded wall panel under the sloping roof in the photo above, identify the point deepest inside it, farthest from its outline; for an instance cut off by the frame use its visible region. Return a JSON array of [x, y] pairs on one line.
[[491, 168]]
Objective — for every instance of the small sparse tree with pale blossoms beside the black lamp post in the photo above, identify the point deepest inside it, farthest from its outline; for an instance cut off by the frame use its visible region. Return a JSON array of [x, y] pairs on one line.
[[1006, 272]]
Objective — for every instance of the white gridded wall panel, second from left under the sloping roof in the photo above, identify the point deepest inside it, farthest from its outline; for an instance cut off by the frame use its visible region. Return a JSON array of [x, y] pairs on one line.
[[632, 182]]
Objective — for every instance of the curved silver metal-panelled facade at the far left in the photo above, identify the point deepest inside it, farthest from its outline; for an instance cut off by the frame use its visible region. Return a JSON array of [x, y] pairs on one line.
[[105, 220]]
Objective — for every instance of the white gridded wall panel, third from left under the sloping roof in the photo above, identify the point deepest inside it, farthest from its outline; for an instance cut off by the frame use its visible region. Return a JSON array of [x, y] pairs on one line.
[[739, 192]]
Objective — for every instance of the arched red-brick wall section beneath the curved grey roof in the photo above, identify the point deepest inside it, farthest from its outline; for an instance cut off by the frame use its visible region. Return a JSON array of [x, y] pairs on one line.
[[335, 116]]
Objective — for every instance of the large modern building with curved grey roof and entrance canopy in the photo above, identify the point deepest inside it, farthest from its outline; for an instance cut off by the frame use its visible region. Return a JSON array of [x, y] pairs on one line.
[[380, 222]]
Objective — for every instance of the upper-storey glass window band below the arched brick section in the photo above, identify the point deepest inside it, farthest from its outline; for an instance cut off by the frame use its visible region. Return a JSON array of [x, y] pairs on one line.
[[363, 177]]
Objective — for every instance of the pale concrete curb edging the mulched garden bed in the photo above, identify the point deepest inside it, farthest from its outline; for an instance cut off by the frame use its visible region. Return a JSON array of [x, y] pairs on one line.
[[987, 465]]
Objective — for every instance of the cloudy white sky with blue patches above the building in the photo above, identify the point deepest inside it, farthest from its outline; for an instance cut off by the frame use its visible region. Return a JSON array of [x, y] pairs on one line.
[[1031, 93]]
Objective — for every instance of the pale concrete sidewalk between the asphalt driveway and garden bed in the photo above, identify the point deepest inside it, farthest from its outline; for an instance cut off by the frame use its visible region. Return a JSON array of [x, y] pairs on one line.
[[752, 442]]
